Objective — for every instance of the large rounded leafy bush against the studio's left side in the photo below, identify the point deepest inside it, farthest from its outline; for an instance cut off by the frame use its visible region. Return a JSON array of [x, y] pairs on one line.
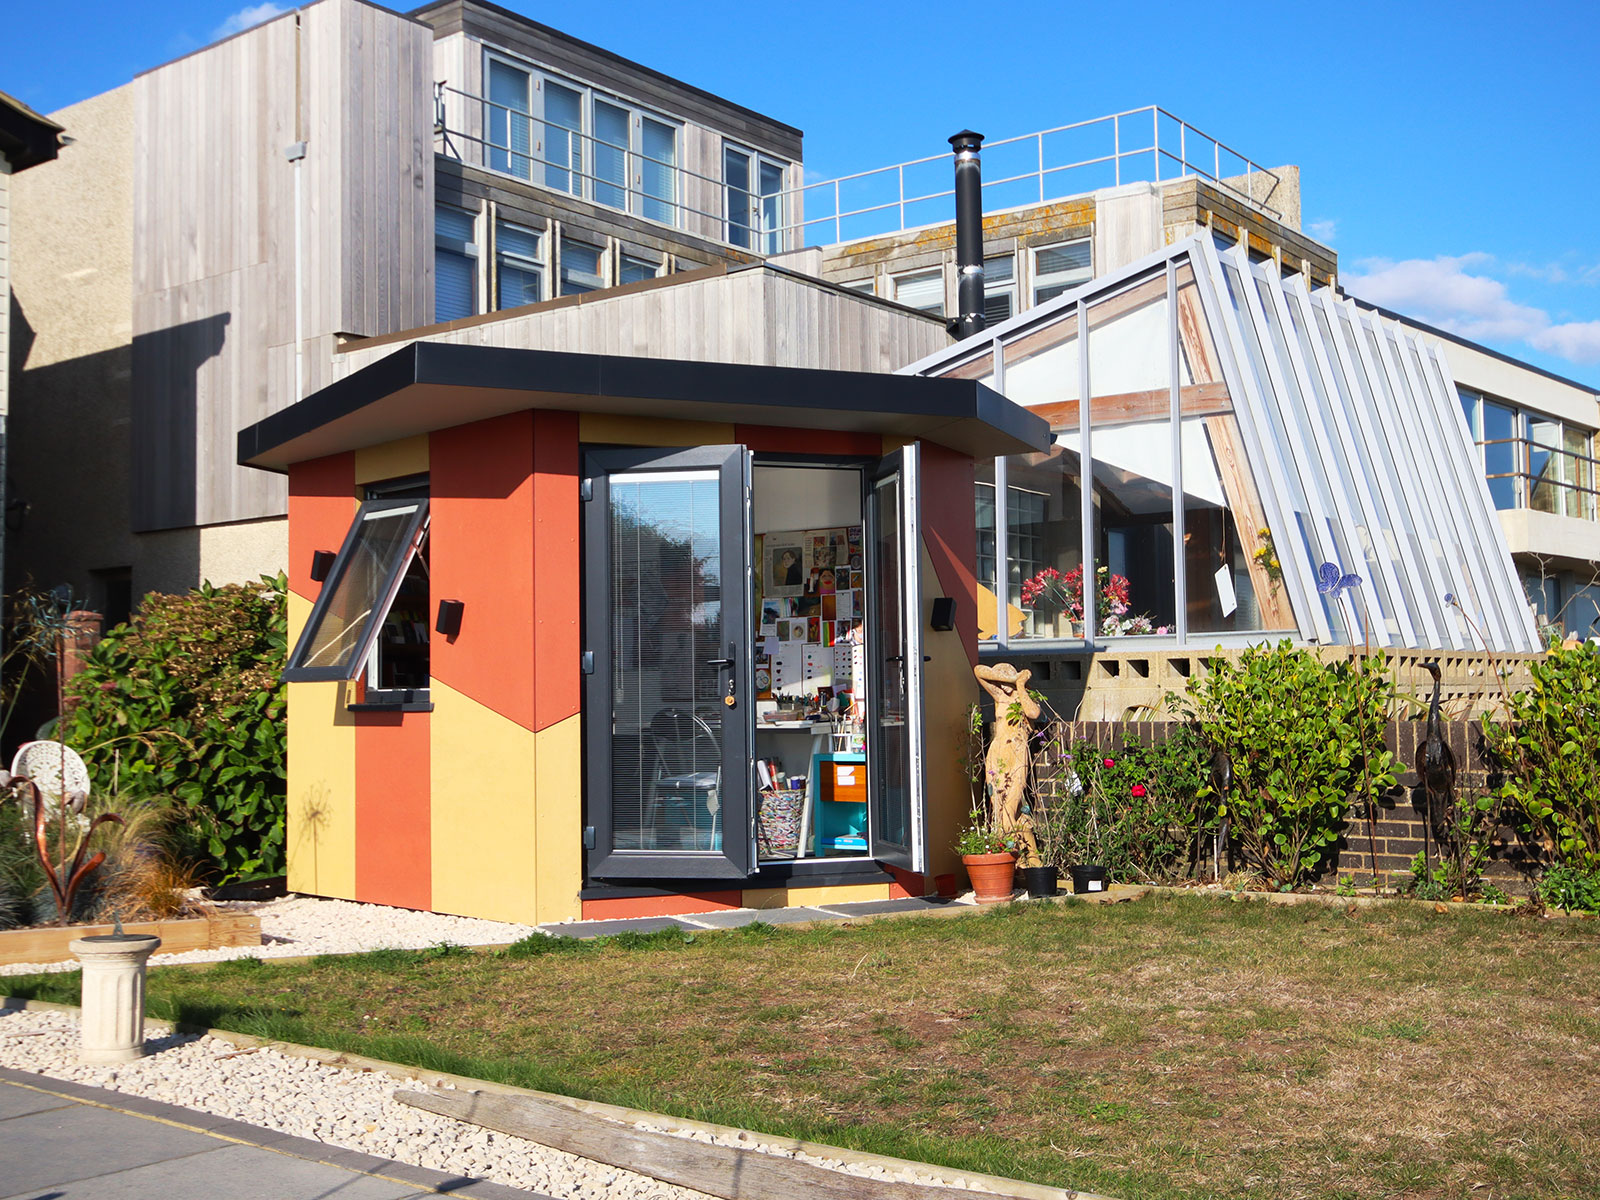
[[186, 702]]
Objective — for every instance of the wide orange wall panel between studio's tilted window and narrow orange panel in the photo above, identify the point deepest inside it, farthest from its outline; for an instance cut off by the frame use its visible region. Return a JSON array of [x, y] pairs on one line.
[[481, 553]]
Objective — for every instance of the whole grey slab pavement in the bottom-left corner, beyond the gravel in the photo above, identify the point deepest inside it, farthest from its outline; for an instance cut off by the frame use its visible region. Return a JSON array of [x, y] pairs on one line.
[[70, 1142]]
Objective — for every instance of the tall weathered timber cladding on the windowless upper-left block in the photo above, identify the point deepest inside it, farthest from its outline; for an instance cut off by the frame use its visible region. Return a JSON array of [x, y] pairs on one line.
[[215, 273]]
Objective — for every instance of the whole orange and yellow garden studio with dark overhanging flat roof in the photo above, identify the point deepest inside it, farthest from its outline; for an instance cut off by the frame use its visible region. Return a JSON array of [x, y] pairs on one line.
[[599, 636]]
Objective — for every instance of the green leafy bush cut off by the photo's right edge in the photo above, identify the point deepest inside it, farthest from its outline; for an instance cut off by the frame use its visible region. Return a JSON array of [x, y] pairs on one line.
[[1550, 745]]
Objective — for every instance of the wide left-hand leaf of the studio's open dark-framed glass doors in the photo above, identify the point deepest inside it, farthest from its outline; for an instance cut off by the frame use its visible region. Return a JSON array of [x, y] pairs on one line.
[[668, 711]]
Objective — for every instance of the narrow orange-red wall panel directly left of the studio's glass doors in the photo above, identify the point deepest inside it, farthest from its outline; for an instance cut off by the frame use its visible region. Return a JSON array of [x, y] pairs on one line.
[[556, 569]]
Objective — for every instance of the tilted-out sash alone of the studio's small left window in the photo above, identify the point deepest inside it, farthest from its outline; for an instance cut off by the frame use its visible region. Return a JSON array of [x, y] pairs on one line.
[[343, 628]]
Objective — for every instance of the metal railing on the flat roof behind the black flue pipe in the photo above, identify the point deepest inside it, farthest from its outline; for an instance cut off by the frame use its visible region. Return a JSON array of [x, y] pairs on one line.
[[1138, 146]]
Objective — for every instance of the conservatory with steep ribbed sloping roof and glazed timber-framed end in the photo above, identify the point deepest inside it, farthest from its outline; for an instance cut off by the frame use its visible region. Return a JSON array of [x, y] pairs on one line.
[[1242, 431]]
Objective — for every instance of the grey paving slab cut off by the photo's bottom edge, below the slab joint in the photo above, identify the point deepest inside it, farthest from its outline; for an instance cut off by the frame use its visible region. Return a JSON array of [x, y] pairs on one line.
[[234, 1172]]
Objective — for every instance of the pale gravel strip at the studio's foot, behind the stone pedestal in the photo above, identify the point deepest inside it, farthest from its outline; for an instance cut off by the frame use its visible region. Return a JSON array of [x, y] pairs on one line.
[[303, 926]]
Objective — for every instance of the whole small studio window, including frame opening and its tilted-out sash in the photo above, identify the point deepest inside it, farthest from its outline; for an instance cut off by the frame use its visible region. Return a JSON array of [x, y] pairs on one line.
[[370, 618]]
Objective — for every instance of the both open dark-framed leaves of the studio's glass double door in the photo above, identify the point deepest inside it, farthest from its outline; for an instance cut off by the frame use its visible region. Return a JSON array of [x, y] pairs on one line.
[[670, 711]]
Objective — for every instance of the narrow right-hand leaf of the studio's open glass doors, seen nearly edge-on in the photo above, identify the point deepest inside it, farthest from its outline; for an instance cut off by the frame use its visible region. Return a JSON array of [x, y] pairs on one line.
[[895, 732]]
